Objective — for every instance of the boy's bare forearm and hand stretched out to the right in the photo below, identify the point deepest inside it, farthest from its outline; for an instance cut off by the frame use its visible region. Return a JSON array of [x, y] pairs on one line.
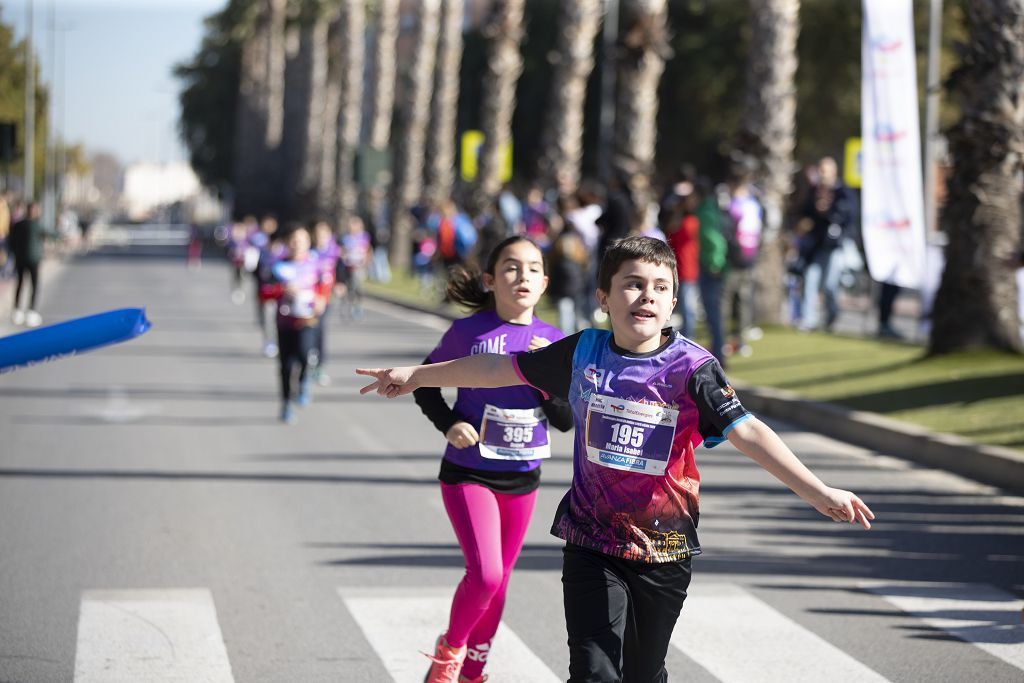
[[760, 443]]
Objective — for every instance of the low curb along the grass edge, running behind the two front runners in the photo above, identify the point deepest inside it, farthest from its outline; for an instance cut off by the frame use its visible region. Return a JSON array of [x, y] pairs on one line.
[[989, 464]]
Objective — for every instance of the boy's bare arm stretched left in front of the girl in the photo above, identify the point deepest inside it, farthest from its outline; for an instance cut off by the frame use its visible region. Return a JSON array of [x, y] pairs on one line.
[[483, 371]]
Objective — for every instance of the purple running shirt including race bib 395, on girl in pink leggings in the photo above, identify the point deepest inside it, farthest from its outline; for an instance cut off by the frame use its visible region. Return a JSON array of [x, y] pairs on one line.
[[506, 440]]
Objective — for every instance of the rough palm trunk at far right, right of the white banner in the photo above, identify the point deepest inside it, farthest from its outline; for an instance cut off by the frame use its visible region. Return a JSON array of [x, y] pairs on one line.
[[976, 305]]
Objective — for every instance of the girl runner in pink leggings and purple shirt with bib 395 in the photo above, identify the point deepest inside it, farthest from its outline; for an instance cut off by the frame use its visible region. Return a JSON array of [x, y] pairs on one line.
[[497, 438]]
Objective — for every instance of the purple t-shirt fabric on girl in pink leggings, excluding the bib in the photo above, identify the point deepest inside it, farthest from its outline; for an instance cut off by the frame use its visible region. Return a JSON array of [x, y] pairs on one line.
[[487, 333]]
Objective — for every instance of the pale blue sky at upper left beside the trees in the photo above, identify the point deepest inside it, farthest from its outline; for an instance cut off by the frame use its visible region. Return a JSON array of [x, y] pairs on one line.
[[121, 96]]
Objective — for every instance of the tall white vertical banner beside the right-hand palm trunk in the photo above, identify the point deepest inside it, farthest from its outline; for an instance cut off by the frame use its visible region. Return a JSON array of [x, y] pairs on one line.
[[892, 201]]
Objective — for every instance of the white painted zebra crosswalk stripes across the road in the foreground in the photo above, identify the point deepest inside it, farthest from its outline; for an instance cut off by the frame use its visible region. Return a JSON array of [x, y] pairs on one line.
[[174, 635]]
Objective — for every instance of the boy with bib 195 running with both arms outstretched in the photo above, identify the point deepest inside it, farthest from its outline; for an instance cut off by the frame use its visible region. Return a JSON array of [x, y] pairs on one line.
[[643, 398]]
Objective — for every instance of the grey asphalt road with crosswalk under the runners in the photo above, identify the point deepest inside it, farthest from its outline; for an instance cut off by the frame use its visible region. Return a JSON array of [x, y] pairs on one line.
[[158, 524]]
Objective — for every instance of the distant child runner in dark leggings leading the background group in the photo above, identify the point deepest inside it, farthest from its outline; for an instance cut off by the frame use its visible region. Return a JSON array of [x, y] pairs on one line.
[[302, 290]]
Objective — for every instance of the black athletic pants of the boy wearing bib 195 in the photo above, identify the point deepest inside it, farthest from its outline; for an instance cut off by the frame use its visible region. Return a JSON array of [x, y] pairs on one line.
[[620, 616]]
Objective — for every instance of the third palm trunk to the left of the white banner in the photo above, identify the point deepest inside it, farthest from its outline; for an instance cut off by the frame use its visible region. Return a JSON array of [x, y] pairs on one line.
[[564, 130]]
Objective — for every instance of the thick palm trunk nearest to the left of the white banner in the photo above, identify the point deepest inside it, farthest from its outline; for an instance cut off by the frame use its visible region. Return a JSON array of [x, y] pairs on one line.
[[767, 136]]
